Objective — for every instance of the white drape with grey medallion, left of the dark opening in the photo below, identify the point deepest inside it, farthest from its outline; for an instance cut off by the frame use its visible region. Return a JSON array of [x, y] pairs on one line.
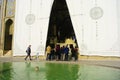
[[31, 24]]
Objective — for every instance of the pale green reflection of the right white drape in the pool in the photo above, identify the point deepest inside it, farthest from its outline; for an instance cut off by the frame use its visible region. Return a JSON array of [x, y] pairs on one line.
[[89, 72]]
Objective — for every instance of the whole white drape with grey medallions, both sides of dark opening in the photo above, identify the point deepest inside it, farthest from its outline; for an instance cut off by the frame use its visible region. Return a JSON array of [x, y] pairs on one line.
[[96, 24]]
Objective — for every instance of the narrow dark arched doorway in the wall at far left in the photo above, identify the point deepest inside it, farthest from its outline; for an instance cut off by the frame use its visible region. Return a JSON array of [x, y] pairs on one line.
[[8, 36]]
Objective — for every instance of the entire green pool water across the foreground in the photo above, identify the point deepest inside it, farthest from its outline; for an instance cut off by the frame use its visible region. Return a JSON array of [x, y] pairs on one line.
[[55, 71]]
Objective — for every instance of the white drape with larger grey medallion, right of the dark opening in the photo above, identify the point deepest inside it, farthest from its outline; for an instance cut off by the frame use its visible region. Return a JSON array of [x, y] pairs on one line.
[[96, 24]]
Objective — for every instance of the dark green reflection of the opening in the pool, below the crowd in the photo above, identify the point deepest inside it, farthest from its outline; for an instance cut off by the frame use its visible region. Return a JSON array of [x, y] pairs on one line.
[[57, 71]]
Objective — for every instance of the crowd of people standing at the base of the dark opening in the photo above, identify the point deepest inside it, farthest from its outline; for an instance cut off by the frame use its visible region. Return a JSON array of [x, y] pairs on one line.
[[64, 53]]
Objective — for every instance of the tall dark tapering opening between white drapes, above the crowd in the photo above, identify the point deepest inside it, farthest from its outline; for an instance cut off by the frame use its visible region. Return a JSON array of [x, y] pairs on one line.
[[60, 25]]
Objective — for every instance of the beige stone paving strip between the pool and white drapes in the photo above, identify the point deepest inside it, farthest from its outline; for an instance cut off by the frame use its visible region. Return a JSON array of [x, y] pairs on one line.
[[114, 63]]
